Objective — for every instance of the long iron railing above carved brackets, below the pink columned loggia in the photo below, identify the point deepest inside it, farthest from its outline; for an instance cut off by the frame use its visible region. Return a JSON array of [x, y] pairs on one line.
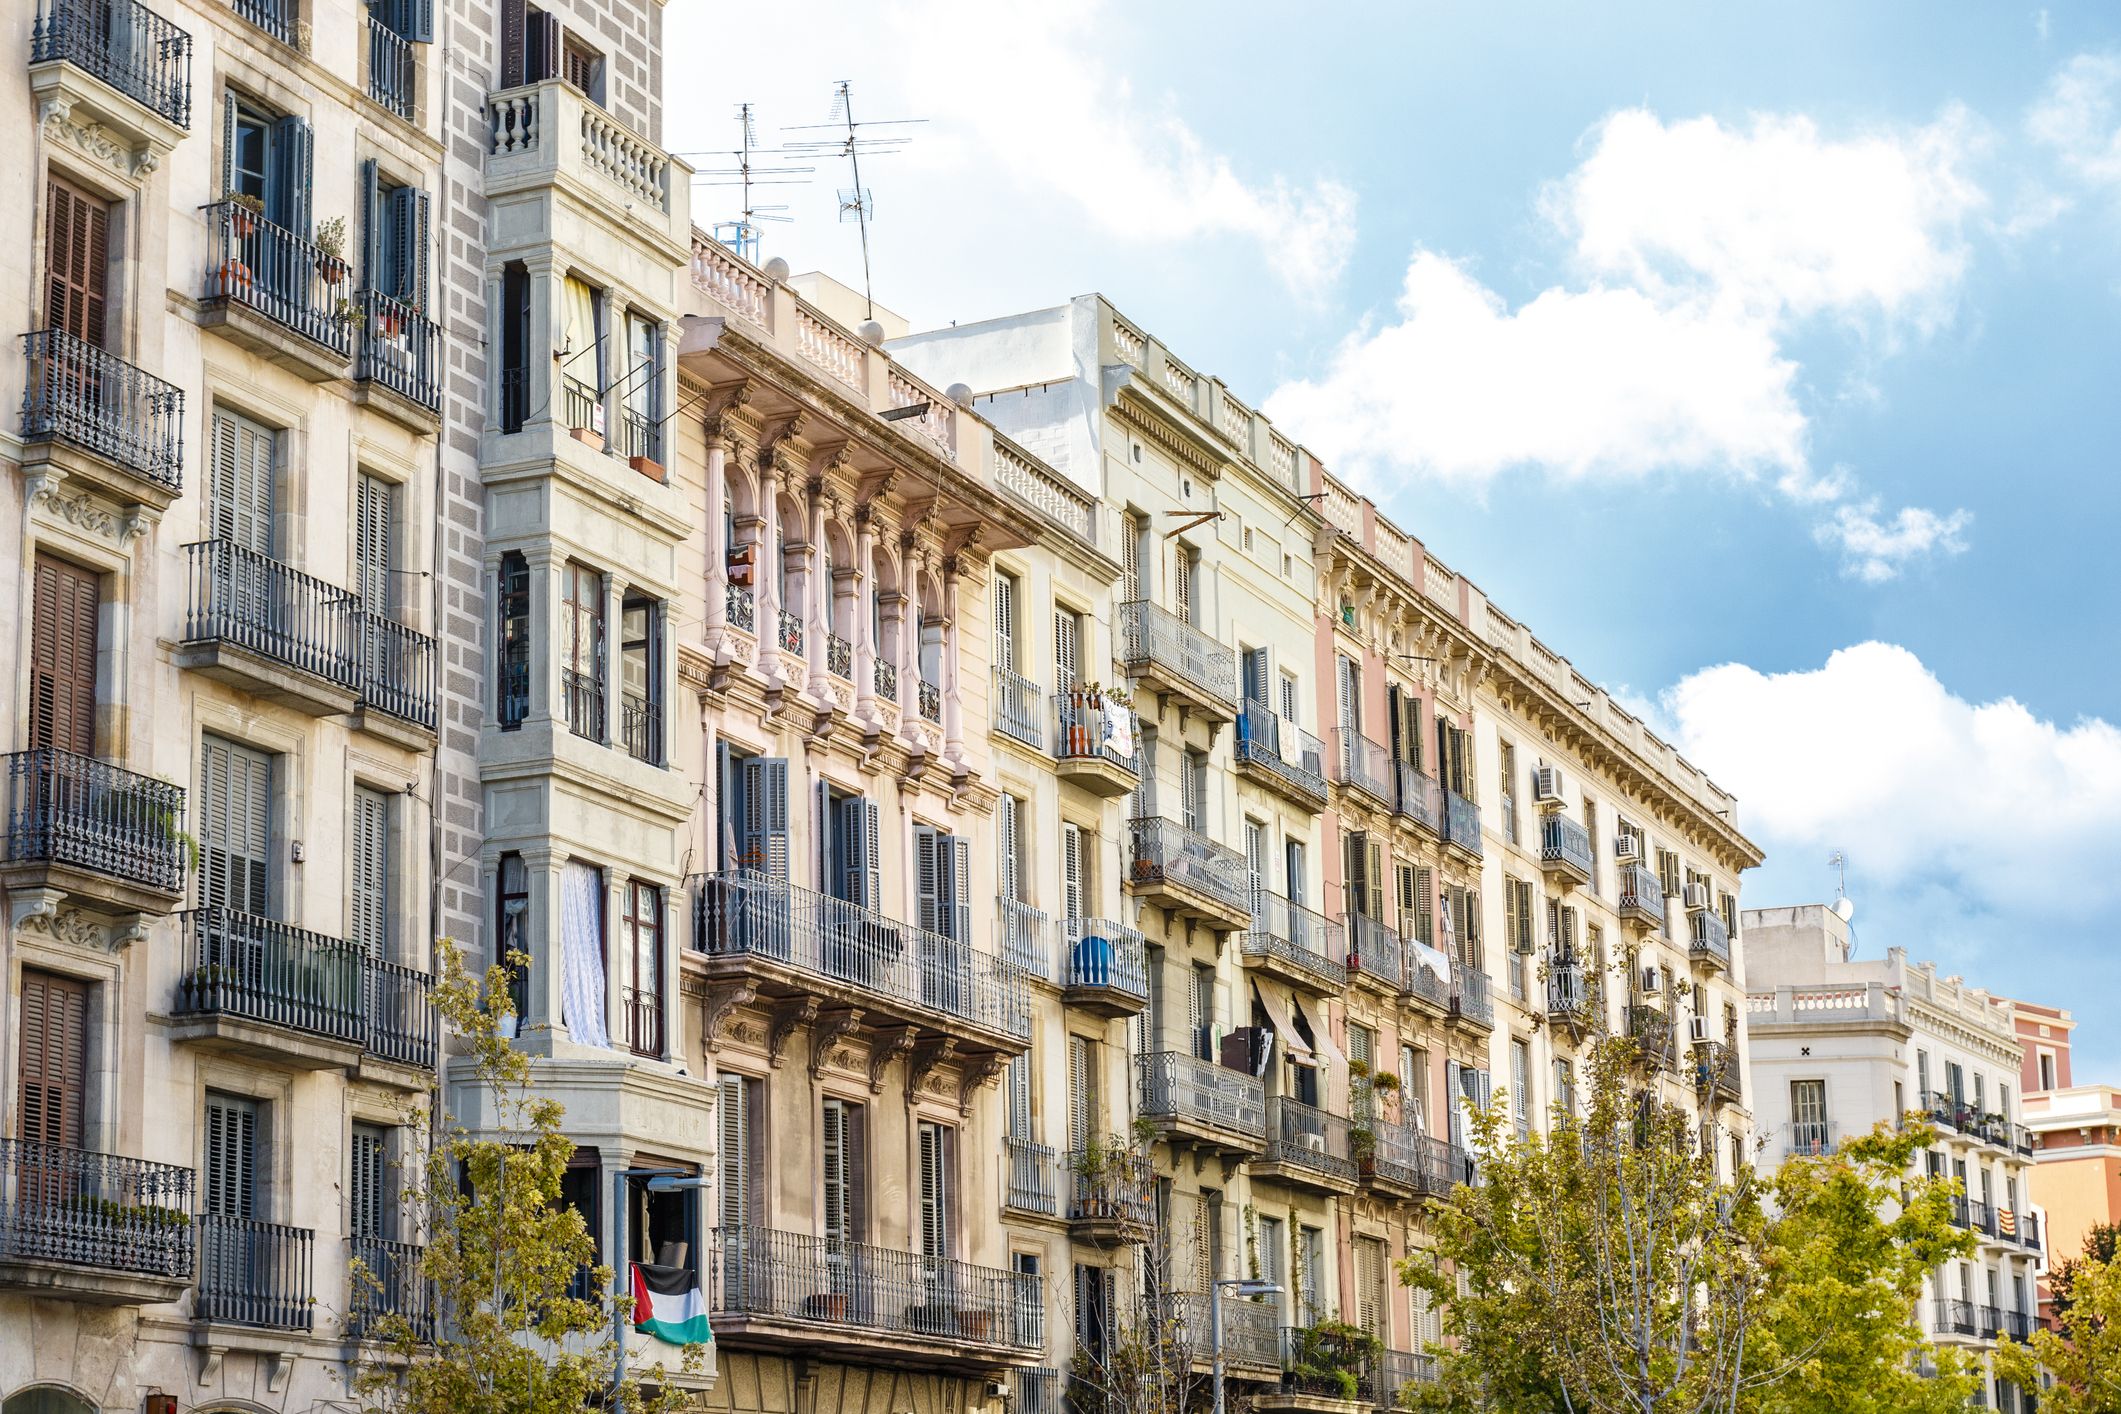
[[743, 913]]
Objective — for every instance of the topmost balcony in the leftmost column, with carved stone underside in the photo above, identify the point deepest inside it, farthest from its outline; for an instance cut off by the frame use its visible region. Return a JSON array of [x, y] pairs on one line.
[[118, 71]]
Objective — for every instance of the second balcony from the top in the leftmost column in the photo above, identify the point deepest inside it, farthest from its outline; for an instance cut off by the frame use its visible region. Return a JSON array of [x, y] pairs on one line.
[[101, 421]]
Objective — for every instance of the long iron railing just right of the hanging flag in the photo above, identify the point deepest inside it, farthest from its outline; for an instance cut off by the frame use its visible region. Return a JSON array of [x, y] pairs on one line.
[[830, 1282]]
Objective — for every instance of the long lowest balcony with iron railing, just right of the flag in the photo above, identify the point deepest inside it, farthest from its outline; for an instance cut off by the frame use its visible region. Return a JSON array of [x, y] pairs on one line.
[[796, 1292]]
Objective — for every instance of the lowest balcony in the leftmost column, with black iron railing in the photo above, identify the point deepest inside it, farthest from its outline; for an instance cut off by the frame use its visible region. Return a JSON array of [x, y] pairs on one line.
[[92, 1226]]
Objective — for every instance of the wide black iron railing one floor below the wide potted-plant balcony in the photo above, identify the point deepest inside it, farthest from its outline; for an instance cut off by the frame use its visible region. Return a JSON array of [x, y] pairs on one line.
[[256, 603]]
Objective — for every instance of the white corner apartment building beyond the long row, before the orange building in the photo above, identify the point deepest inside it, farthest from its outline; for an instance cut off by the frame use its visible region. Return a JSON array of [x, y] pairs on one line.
[[1842, 1046]]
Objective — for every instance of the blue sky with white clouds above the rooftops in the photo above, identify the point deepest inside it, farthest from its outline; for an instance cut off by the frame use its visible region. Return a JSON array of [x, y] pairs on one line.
[[1764, 361]]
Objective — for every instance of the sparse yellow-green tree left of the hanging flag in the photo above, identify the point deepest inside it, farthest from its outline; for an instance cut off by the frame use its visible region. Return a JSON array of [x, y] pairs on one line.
[[504, 1256]]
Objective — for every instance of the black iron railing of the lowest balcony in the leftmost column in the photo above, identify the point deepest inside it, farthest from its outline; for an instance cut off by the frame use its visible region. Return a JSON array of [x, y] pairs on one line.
[[90, 1209]]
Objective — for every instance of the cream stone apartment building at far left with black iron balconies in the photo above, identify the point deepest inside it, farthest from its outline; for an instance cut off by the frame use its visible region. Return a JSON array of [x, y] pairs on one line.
[[222, 694]]
